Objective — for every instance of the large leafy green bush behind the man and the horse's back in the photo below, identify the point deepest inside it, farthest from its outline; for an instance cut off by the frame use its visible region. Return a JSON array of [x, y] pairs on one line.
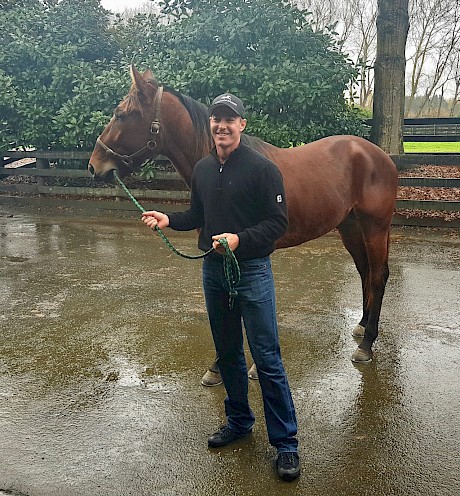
[[291, 78]]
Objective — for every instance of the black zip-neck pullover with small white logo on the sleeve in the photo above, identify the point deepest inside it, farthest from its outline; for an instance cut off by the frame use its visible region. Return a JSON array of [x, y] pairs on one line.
[[245, 196]]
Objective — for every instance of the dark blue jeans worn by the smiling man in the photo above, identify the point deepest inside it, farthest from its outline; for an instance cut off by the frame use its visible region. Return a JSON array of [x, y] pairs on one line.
[[255, 306]]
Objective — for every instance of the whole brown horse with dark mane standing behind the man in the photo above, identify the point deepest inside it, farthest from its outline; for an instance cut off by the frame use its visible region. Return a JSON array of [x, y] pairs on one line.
[[342, 182]]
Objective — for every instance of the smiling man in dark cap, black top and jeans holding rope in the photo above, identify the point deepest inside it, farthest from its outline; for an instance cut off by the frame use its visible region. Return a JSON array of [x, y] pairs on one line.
[[238, 194]]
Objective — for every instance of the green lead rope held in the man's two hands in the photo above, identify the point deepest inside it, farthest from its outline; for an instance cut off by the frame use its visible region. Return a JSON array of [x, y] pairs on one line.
[[231, 267]]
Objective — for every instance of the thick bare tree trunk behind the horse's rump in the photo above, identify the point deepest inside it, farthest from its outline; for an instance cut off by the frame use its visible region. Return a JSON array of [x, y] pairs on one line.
[[390, 67]]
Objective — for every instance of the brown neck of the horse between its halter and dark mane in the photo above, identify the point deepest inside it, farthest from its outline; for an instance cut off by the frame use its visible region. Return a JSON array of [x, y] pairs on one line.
[[180, 137]]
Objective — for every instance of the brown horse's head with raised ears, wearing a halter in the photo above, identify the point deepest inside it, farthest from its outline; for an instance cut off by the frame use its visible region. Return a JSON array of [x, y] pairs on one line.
[[133, 133]]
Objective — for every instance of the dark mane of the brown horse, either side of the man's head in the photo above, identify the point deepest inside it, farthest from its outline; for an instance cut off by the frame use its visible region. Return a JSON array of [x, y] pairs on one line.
[[199, 115]]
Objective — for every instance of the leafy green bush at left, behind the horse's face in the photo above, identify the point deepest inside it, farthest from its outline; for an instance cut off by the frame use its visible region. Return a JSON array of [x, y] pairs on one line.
[[52, 58]]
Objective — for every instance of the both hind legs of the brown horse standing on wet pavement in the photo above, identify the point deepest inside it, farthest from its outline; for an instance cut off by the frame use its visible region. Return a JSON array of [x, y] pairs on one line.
[[369, 250]]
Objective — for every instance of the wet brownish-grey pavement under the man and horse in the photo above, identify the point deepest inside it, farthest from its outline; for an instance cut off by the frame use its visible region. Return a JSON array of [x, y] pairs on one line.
[[104, 339]]
